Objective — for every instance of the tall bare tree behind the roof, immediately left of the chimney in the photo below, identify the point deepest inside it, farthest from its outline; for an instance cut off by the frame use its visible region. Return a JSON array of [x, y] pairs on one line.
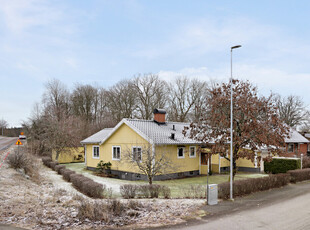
[[151, 92]]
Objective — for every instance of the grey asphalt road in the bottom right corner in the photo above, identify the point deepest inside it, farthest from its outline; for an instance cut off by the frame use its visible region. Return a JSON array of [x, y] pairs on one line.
[[284, 208]]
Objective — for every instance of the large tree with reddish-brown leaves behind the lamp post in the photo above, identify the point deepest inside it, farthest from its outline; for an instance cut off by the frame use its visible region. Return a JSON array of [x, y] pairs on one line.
[[256, 123]]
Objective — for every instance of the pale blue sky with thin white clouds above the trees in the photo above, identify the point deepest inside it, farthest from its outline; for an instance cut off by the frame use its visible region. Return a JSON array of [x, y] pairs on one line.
[[100, 42]]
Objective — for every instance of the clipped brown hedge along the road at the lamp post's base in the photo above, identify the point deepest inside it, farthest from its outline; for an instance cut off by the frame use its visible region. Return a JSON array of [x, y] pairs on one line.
[[243, 187]]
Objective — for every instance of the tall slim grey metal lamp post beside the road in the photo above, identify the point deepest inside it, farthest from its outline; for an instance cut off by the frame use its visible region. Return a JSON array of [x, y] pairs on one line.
[[231, 125]]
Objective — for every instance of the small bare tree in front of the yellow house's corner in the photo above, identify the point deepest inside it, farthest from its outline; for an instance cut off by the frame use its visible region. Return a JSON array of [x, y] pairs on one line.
[[149, 161]]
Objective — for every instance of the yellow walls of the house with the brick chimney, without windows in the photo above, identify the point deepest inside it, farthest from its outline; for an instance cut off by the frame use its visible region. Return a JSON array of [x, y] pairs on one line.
[[129, 138]]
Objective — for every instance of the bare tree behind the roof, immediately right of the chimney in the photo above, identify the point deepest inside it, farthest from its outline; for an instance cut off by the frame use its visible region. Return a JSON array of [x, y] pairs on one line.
[[186, 96]]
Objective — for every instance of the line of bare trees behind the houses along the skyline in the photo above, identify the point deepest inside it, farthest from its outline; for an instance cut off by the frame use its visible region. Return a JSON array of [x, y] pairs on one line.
[[64, 117]]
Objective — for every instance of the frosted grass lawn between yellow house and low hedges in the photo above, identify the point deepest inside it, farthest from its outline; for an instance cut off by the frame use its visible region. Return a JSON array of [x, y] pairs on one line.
[[177, 185]]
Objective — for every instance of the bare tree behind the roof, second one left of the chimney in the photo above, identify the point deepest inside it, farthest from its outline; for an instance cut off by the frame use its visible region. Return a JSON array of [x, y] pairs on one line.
[[122, 100]]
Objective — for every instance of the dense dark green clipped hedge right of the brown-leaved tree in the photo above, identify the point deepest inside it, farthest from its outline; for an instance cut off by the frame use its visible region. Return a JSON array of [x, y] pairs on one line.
[[281, 165]]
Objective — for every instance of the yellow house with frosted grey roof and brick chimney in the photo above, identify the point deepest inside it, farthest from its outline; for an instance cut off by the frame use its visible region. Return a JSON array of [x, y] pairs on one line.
[[132, 138]]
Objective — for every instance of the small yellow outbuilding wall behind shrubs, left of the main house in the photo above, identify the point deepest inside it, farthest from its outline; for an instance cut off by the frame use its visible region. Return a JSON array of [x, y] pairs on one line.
[[69, 155]]
